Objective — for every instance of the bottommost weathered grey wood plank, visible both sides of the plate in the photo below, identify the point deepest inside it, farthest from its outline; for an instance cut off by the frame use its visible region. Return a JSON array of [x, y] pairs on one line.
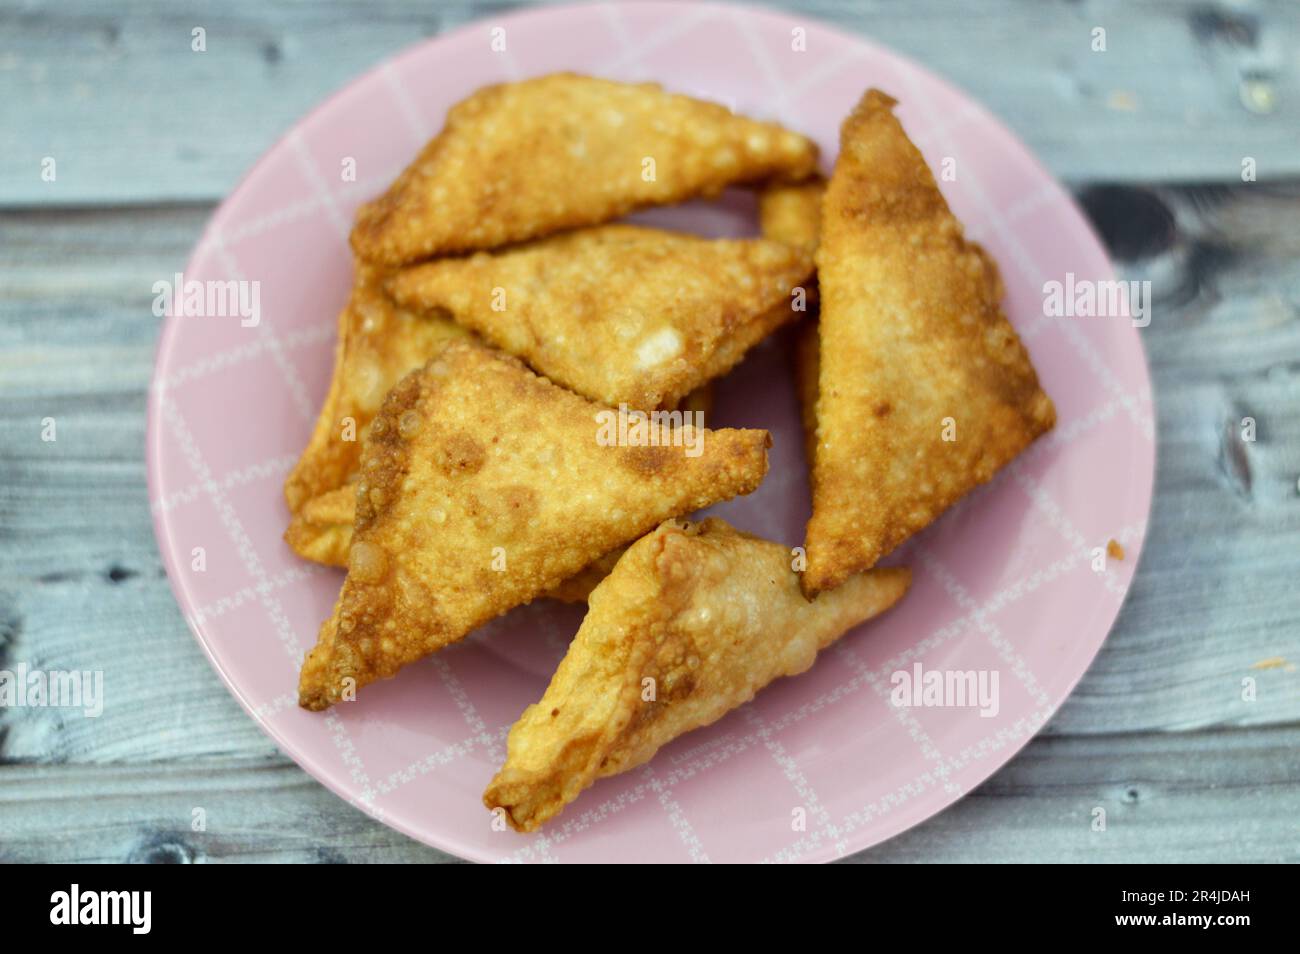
[[1158, 792]]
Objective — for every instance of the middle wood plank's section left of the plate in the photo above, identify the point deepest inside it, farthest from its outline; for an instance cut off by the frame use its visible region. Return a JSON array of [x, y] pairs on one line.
[[83, 579]]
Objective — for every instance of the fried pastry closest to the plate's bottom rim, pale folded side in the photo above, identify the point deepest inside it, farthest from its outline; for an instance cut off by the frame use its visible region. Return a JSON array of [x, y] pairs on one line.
[[691, 623]]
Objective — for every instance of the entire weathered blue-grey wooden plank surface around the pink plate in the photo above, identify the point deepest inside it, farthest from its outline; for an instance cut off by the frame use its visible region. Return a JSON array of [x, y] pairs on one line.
[[1151, 138]]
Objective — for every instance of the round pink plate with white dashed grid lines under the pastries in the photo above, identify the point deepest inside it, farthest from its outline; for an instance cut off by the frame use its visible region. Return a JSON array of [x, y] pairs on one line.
[[818, 766]]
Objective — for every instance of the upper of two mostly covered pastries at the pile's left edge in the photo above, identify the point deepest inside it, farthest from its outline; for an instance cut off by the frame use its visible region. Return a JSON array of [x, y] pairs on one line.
[[378, 344]]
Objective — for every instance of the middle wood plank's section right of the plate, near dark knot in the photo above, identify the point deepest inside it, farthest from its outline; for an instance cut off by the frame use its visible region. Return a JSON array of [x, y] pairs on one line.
[[1216, 593]]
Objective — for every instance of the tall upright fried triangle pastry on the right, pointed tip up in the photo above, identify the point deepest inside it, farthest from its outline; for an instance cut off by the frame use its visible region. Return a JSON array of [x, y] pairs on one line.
[[912, 339]]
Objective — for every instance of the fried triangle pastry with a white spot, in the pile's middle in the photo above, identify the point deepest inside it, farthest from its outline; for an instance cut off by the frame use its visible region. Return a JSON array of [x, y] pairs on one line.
[[619, 314]]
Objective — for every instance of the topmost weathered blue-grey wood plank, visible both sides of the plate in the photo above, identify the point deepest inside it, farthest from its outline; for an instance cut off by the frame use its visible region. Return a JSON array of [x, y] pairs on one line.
[[131, 114]]
